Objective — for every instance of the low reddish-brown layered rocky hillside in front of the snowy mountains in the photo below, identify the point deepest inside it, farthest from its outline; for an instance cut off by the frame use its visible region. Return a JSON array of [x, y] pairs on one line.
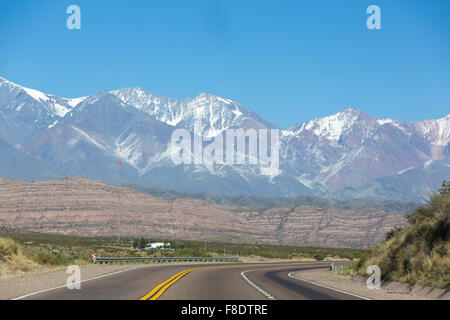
[[84, 207]]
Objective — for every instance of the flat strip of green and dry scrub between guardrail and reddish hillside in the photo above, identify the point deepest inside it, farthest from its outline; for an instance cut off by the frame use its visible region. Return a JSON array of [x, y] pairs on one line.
[[24, 252]]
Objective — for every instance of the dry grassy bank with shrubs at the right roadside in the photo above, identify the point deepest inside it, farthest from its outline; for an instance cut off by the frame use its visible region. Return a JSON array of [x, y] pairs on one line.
[[420, 252]]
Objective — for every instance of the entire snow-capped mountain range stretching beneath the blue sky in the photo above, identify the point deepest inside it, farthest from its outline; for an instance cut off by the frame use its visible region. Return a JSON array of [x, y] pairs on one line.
[[346, 155]]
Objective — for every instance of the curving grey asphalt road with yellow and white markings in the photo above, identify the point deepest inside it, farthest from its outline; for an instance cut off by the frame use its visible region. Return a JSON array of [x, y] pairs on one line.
[[202, 282]]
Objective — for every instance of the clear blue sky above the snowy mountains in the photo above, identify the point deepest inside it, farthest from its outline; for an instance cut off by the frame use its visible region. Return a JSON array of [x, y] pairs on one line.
[[289, 61]]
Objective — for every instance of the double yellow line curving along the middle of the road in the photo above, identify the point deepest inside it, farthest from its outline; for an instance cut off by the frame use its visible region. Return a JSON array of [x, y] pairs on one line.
[[162, 287]]
